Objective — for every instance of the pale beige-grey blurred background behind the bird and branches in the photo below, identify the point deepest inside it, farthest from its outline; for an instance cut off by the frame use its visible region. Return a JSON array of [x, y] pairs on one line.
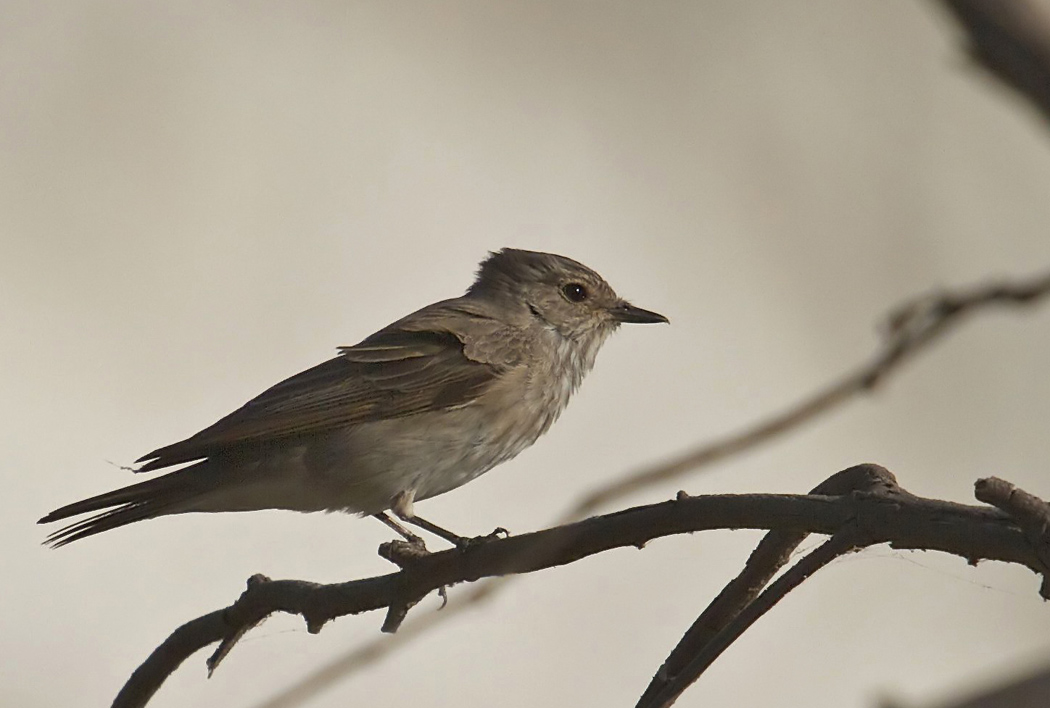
[[200, 199]]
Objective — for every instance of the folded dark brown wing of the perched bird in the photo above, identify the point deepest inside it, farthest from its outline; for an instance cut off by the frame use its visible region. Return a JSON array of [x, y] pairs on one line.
[[400, 371]]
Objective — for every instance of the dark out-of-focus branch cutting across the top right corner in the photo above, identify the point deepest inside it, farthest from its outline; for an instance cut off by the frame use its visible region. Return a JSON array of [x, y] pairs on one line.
[[1012, 40]]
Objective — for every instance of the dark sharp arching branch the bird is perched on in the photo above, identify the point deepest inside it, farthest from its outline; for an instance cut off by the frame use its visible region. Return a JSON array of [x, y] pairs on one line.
[[902, 520]]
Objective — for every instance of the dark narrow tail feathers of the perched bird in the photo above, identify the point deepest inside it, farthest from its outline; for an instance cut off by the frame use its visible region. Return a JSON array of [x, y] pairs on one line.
[[145, 501]]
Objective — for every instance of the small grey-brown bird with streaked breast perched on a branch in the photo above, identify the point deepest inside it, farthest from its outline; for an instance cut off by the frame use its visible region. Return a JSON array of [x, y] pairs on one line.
[[421, 408]]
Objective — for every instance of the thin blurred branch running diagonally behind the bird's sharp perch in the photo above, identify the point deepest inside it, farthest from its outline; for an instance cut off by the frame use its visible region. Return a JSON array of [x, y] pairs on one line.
[[911, 328]]
